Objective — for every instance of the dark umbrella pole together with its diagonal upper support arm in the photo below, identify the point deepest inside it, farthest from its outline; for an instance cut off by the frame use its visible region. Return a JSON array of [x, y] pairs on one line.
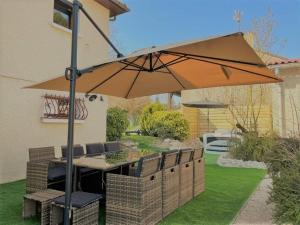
[[71, 74]]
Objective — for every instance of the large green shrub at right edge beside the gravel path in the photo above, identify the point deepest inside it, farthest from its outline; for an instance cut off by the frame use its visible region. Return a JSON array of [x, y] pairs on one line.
[[284, 167]]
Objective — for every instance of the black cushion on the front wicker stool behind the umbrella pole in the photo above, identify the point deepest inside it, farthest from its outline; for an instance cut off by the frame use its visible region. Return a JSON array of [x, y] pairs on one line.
[[80, 199]]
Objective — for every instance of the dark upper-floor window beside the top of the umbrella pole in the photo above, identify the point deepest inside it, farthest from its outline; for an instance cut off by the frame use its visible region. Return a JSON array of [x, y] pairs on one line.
[[62, 14]]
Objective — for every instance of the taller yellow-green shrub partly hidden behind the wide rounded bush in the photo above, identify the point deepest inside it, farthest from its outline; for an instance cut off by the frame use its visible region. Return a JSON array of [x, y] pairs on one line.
[[146, 117]]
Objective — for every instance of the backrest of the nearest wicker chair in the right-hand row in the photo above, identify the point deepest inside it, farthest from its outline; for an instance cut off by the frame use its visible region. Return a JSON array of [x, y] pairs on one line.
[[148, 165]]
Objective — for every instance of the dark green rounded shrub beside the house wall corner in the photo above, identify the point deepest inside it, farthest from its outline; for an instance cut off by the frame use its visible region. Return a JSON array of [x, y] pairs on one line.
[[116, 123]]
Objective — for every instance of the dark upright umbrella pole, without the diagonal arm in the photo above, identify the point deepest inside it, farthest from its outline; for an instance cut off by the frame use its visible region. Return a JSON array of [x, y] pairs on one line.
[[71, 74]]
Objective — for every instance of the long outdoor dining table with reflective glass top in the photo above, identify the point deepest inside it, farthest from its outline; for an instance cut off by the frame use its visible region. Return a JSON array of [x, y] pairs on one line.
[[102, 163]]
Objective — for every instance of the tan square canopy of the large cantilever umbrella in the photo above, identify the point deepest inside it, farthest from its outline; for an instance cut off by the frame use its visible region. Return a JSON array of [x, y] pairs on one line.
[[219, 61]]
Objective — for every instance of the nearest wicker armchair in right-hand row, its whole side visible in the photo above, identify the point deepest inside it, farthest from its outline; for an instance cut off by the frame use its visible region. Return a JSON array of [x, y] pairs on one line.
[[135, 200]]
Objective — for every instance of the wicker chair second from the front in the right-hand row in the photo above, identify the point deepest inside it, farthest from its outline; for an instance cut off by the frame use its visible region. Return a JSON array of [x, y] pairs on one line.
[[170, 182]]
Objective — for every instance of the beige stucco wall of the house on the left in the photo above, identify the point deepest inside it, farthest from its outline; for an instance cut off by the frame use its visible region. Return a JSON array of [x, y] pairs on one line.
[[33, 49]]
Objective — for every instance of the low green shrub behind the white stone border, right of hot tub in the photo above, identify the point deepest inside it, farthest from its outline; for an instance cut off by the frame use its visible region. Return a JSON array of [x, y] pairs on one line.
[[251, 147]]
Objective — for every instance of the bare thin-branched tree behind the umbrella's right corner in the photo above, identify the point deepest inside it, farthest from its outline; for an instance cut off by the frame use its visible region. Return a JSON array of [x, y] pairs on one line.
[[245, 105]]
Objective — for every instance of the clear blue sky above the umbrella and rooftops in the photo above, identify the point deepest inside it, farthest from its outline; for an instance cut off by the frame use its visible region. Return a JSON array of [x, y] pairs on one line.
[[158, 22]]
